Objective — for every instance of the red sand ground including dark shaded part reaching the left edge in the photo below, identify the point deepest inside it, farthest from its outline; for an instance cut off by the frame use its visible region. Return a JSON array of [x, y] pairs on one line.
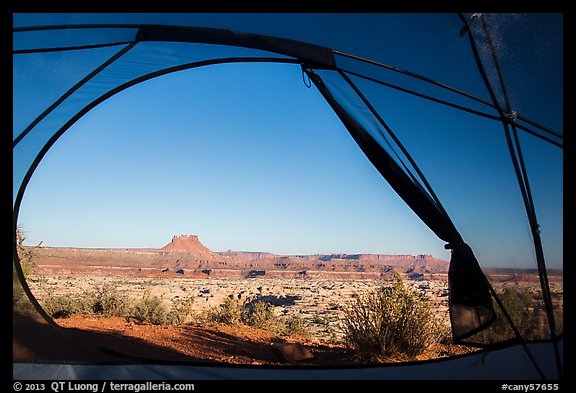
[[84, 338]]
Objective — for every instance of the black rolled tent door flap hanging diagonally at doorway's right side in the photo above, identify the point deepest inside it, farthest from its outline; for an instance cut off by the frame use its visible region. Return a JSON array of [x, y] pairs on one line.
[[471, 307]]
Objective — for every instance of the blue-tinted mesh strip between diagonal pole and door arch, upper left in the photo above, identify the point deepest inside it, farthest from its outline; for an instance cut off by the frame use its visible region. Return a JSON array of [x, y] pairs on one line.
[[135, 64]]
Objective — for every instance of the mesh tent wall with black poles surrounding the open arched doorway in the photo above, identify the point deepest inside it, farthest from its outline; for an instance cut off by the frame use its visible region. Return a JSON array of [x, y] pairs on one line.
[[476, 150]]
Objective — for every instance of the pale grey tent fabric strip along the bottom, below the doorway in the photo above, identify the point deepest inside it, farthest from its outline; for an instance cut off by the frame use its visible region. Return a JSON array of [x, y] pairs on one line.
[[501, 364]]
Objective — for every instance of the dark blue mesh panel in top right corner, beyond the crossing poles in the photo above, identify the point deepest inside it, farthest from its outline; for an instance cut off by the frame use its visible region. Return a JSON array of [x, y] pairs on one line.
[[519, 62]]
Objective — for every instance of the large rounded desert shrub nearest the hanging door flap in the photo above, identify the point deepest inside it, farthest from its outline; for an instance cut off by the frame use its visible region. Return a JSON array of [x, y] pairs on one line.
[[390, 322]]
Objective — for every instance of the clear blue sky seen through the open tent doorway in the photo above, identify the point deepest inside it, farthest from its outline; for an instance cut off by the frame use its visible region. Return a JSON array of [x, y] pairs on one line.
[[253, 163]]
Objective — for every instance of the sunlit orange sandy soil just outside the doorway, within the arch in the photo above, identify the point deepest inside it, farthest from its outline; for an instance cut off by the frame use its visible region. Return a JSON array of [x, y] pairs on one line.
[[213, 343]]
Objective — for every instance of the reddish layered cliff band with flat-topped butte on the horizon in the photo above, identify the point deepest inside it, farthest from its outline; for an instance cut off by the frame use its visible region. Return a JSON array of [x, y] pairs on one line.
[[186, 256]]
